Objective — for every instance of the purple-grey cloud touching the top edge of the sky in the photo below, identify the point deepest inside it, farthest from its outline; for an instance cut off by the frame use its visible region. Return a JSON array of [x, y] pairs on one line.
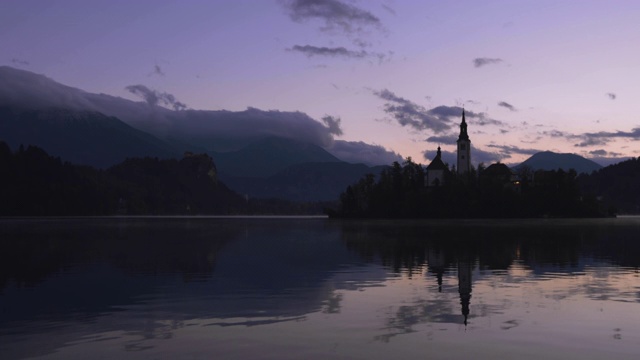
[[335, 14]]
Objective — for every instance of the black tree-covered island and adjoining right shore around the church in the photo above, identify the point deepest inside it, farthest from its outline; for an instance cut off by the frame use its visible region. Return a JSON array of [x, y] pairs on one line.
[[493, 192]]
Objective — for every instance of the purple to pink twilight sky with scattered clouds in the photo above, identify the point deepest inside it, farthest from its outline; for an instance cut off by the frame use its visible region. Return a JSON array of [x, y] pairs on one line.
[[531, 75]]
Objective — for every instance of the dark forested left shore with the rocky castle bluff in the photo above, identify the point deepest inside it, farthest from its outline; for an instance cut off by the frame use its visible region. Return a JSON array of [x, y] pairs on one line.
[[34, 183]]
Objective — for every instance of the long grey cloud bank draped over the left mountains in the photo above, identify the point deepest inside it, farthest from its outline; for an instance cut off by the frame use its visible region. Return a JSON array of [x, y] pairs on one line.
[[203, 130]]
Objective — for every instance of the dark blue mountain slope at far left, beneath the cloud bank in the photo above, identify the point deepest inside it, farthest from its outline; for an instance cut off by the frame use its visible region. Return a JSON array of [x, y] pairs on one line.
[[79, 136]]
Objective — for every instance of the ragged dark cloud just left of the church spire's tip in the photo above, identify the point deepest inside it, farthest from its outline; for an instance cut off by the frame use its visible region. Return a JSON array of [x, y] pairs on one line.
[[408, 113]]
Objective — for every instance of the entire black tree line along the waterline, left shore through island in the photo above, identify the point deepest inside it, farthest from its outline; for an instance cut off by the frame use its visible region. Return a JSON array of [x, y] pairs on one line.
[[34, 183]]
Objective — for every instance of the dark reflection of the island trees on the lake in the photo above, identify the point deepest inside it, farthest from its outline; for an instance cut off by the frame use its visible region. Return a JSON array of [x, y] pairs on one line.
[[409, 246]]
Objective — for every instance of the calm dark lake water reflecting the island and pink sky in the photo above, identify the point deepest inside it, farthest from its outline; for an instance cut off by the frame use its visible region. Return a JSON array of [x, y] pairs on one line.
[[313, 288]]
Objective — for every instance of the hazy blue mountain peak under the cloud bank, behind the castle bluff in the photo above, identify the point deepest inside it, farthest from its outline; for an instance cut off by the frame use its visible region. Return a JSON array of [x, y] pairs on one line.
[[267, 157]]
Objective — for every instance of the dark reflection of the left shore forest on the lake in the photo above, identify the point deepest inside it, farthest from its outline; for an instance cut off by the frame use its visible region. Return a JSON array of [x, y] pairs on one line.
[[144, 246]]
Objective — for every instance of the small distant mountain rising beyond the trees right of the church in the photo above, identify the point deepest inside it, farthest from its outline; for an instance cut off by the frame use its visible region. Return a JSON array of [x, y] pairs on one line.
[[548, 160]]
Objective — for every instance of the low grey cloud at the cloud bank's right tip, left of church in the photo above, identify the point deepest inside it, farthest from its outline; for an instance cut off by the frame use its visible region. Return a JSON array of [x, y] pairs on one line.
[[360, 152]]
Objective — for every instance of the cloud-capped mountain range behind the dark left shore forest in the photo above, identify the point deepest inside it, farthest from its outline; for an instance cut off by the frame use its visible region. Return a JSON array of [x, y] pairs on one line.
[[260, 153]]
